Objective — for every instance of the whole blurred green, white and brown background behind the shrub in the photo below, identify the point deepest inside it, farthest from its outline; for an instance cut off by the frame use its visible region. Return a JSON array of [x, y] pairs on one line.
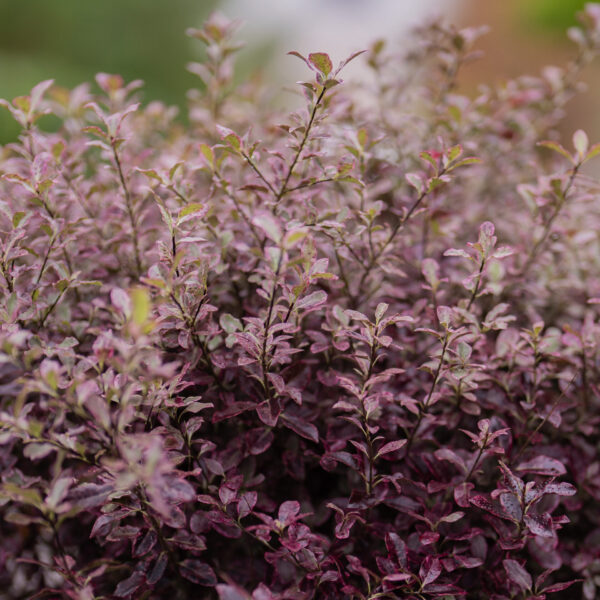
[[72, 40]]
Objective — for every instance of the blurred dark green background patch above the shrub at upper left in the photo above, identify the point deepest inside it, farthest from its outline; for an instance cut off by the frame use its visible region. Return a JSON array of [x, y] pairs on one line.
[[72, 40]]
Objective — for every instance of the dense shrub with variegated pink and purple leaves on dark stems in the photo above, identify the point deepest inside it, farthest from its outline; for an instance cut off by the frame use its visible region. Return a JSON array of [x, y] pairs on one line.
[[349, 352]]
